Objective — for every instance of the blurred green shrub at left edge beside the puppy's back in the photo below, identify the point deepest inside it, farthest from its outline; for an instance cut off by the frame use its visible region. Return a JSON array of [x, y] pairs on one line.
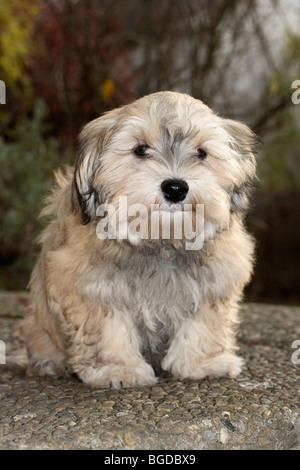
[[27, 164]]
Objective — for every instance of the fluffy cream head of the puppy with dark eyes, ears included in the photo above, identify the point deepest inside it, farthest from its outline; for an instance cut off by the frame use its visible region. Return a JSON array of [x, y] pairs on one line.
[[167, 149]]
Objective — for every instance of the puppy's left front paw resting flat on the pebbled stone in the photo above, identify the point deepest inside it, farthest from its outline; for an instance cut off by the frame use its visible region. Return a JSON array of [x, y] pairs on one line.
[[117, 376]]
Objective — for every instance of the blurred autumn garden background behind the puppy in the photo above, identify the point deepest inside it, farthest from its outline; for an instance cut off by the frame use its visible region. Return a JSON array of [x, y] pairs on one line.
[[64, 62]]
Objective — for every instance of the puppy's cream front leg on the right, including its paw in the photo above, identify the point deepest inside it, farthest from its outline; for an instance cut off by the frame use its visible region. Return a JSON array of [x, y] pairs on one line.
[[205, 345]]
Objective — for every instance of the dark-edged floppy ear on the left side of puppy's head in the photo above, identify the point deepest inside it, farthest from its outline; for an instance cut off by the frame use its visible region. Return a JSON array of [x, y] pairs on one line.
[[92, 141]]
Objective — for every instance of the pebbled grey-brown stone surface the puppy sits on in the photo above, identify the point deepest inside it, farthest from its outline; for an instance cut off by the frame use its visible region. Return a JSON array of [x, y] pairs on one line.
[[258, 410]]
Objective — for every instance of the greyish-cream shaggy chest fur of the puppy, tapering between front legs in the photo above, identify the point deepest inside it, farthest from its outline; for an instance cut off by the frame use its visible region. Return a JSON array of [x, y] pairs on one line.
[[154, 291]]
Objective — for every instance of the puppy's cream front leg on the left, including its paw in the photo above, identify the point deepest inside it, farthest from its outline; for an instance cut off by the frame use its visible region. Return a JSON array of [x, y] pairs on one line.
[[106, 355]]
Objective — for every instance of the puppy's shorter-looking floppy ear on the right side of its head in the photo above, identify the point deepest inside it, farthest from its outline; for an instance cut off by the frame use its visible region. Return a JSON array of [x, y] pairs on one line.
[[243, 141]]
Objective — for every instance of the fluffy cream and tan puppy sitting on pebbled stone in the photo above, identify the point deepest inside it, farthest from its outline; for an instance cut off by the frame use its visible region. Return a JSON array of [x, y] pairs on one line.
[[116, 310]]
